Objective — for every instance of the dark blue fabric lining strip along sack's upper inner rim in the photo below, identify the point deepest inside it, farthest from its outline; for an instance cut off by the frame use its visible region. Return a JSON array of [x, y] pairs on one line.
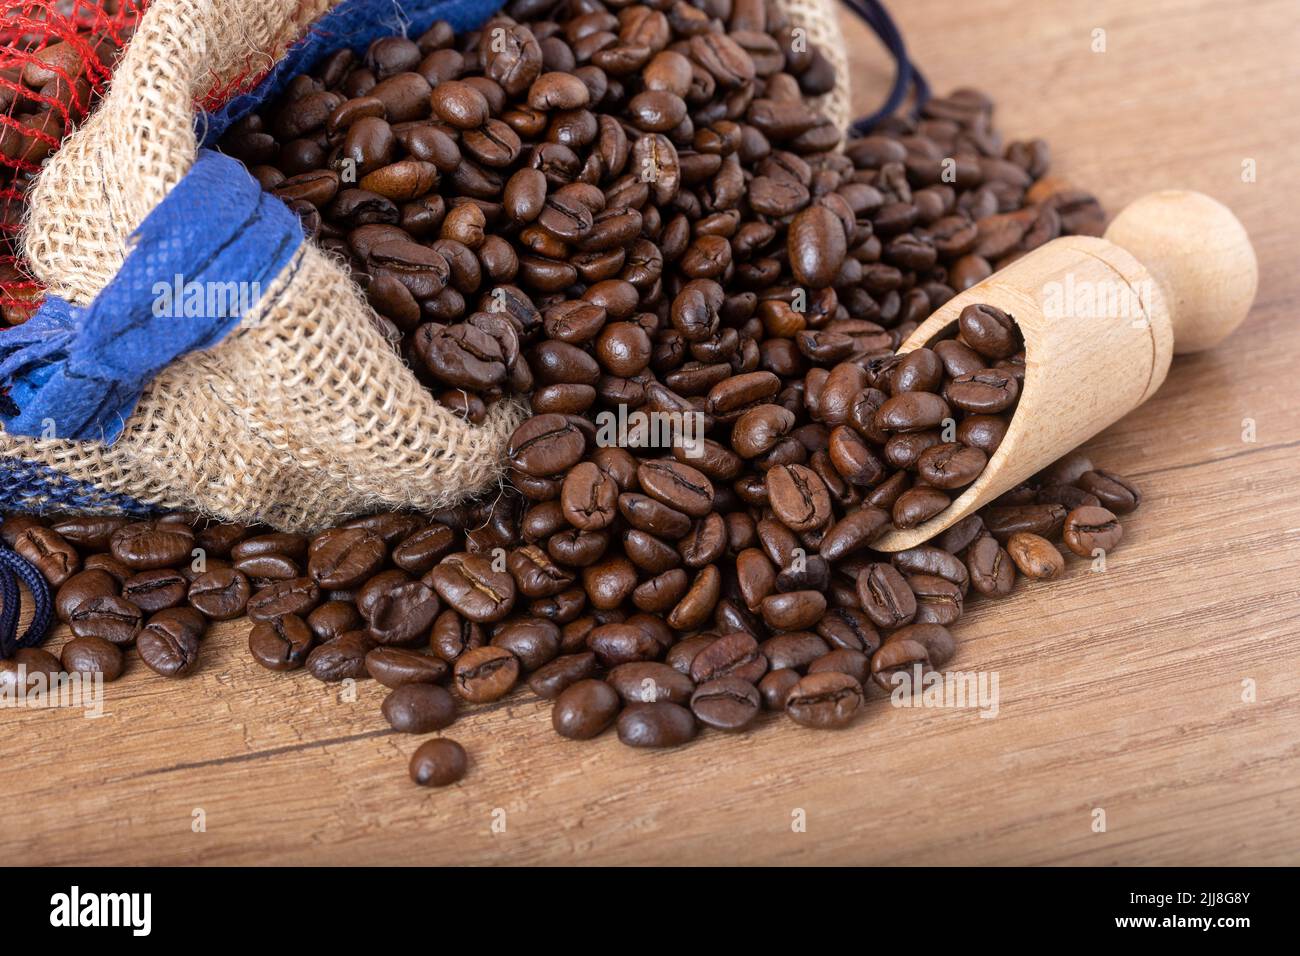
[[353, 24]]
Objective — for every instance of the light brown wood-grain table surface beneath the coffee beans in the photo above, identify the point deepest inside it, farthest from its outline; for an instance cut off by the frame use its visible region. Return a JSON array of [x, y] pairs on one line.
[[1123, 693]]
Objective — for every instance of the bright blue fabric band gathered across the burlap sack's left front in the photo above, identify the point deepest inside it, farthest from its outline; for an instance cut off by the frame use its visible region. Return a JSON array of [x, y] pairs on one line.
[[201, 259]]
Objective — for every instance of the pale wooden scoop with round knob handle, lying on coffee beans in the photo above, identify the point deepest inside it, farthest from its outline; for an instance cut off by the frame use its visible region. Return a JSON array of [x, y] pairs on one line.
[[1102, 321]]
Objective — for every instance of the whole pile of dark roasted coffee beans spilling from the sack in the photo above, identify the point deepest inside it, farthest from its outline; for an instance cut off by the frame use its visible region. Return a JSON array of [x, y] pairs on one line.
[[616, 209]]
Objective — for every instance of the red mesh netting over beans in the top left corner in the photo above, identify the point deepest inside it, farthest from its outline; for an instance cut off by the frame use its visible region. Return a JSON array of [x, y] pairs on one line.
[[58, 58]]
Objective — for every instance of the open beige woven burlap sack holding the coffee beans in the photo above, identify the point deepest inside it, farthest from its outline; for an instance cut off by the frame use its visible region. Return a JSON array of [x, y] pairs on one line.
[[304, 416]]
